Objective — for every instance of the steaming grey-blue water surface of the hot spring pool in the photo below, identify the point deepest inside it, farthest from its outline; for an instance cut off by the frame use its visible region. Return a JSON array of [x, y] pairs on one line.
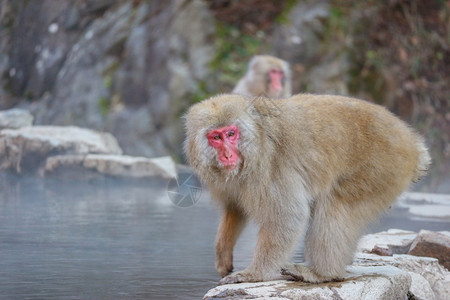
[[104, 239]]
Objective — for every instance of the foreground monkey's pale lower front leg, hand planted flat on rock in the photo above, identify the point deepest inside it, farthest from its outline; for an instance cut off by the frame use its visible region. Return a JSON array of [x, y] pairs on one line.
[[275, 242]]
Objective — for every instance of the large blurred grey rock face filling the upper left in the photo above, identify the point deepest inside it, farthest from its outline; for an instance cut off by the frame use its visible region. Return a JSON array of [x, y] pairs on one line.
[[125, 67]]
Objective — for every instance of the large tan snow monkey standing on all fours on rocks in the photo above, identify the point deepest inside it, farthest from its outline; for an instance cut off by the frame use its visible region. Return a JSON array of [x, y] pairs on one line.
[[324, 167]]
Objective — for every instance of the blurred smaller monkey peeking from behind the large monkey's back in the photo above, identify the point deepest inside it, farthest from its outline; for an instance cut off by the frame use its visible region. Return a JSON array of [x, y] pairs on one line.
[[266, 76]]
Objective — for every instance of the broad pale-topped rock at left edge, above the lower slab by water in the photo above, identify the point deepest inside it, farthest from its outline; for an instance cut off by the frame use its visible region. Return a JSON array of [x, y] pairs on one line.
[[25, 149]]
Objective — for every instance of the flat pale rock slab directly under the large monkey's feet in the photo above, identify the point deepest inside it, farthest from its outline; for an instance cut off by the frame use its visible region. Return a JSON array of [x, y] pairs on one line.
[[379, 282]]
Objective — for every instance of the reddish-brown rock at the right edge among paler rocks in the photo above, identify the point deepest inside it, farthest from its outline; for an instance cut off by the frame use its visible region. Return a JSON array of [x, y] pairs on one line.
[[432, 244]]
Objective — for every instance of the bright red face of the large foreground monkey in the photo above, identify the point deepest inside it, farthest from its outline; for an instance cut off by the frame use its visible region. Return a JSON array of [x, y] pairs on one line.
[[224, 140]]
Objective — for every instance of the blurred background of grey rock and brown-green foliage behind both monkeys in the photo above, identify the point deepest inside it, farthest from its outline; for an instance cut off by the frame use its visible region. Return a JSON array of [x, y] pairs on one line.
[[132, 68]]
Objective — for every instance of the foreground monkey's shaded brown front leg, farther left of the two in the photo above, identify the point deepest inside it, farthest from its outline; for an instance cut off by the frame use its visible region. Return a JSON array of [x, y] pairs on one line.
[[233, 221]]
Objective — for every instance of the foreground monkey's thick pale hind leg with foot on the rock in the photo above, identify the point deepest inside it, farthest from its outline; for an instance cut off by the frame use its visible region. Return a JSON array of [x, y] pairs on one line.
[[330, 242]]
